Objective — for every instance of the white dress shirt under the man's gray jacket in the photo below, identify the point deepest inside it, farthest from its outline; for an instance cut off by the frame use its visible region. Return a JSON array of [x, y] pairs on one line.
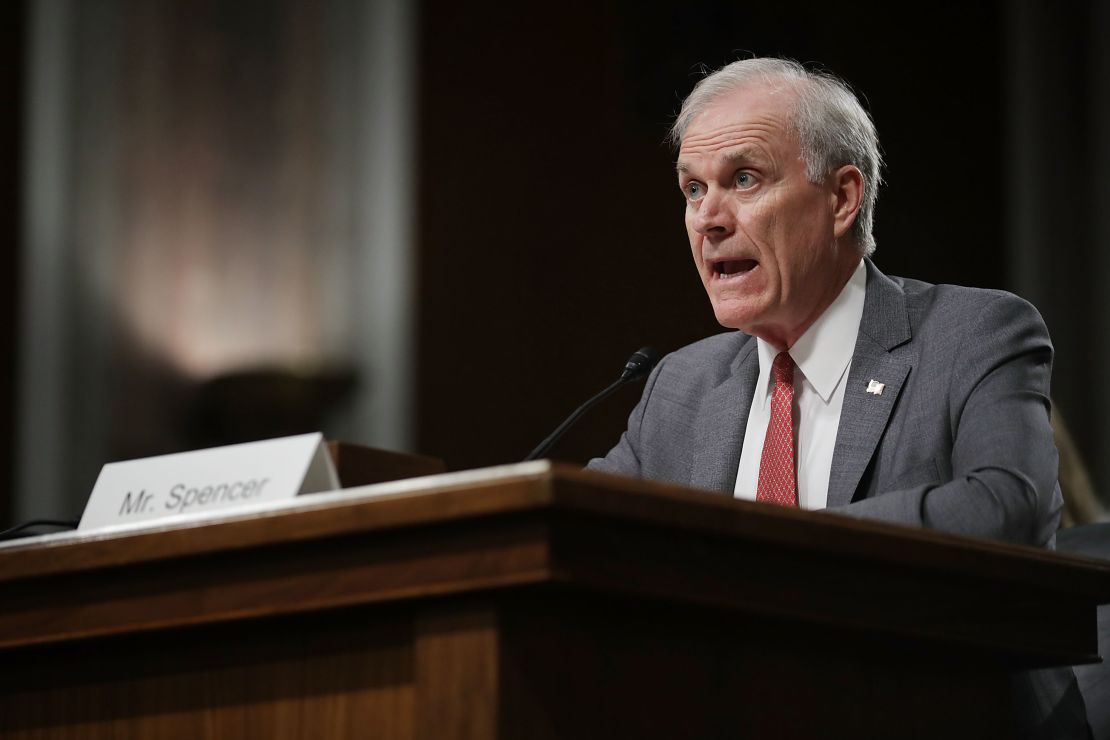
[[822, 357]]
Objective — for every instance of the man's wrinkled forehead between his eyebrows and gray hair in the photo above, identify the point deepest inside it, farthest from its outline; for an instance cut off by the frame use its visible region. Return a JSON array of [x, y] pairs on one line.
[[755, 117]]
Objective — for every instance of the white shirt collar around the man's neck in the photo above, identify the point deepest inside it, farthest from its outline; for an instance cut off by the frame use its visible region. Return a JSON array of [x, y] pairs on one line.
[[824, 352]]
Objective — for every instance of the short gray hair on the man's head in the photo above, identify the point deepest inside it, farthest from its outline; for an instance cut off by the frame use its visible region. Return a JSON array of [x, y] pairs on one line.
[[833, 128]]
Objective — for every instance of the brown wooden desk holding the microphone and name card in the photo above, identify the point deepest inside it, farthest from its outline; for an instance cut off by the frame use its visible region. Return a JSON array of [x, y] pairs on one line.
[[530, 602]]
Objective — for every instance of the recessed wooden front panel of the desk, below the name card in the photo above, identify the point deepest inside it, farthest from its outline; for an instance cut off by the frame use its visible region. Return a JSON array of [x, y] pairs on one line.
[[280, 680]]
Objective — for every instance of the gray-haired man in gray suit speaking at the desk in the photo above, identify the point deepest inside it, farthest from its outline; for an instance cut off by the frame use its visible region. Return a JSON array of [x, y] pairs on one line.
[[880, 398]]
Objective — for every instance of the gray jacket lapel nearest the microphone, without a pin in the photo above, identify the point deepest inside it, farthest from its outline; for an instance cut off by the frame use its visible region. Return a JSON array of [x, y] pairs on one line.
[[721, 432]]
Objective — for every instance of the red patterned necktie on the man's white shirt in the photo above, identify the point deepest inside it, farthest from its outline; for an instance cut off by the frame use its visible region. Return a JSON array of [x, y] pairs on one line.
[[778, 482]]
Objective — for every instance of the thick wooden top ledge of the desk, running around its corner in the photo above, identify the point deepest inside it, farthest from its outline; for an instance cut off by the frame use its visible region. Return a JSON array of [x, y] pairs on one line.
[[541, 524]]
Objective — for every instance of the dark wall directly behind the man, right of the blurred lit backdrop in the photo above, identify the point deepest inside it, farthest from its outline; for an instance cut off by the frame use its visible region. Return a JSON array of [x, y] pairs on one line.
[[552, 238]]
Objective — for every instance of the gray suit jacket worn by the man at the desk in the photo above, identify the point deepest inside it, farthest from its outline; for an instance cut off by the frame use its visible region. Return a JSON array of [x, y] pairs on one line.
[[960, 440]]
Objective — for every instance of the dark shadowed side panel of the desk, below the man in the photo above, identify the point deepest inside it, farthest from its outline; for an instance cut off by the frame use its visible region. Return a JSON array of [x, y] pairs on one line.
[[600, 668]]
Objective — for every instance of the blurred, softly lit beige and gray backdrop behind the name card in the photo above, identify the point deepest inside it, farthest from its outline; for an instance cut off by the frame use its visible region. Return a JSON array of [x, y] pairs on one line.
[[213, 187]]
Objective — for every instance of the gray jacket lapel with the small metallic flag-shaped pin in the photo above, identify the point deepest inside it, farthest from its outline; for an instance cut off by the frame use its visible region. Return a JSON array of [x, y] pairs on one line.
[[865, 415]]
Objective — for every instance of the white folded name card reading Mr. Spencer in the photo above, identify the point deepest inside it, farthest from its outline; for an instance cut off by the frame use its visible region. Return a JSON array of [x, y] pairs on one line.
[[205, 481]]
